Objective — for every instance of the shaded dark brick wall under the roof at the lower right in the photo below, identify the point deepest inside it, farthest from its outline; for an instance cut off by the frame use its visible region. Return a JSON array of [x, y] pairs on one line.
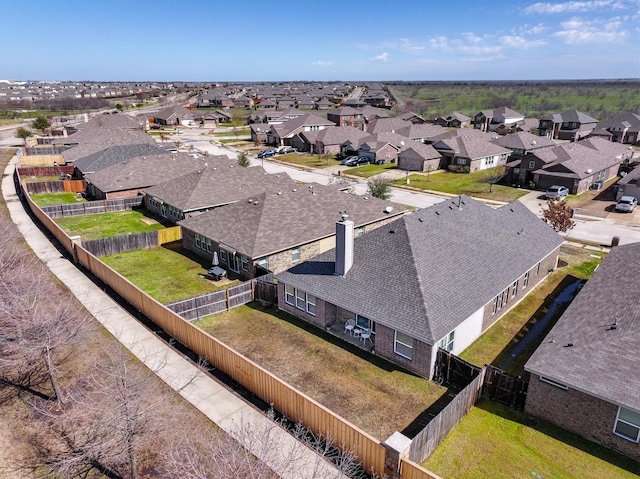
[[576, 411]]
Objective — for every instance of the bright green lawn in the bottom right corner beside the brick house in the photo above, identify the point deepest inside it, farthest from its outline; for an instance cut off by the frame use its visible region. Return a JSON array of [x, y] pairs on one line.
[[495, 442]]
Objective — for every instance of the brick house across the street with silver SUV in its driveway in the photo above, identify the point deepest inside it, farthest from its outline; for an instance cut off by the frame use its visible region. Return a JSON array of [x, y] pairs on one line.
[[579, 166]]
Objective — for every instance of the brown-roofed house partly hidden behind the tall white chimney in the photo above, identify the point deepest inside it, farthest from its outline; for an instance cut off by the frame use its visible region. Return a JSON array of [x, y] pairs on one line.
[[275, 229]]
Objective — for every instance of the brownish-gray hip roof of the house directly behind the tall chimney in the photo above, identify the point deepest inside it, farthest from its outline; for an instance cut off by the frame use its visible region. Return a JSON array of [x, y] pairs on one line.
[[283, 218]]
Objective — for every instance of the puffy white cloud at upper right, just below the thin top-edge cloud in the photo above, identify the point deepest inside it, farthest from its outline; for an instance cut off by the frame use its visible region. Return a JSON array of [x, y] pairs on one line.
[[577, 31]]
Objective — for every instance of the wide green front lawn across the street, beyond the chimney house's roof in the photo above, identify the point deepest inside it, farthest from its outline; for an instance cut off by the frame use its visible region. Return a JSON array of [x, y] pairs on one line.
[[470, 184]]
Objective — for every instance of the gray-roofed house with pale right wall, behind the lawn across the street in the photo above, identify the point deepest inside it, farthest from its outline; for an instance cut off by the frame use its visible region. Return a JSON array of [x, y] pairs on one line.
[[472, 152]]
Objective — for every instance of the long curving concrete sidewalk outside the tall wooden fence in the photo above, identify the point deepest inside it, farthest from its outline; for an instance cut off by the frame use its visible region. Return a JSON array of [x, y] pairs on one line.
[[286, 456]]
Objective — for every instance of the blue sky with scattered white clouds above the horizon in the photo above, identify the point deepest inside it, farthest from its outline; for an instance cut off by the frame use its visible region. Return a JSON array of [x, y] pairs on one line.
[[282, 40]]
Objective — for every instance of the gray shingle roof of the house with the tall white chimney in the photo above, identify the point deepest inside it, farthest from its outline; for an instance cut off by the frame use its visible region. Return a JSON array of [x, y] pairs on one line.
[[428, 271]]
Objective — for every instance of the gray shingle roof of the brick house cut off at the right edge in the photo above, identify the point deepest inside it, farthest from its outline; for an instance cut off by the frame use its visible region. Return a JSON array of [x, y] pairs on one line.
[[602, 362]]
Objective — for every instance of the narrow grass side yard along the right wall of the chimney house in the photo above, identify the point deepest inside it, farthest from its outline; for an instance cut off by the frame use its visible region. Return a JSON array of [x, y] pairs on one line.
[[496, 343]]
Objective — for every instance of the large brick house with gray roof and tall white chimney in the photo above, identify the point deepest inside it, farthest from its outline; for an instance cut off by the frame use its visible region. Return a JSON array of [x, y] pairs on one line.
[[397, 282]]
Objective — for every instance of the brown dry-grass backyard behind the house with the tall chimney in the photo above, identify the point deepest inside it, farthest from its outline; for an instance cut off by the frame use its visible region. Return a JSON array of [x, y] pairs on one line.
[[367, 391]]
